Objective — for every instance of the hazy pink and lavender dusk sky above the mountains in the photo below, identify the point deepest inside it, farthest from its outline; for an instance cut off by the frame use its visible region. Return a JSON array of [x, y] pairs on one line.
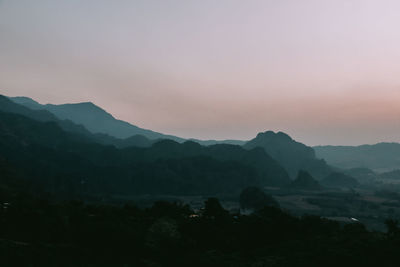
[[325, 72]]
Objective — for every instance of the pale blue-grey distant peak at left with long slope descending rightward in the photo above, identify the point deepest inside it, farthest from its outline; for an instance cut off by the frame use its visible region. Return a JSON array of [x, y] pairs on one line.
[[93, 118]]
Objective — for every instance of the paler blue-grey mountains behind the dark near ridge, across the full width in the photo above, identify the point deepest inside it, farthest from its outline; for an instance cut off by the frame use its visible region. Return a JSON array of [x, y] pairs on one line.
[[89, 119]]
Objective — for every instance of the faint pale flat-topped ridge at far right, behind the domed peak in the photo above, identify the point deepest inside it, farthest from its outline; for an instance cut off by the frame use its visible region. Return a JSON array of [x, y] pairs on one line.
[[381, 157]]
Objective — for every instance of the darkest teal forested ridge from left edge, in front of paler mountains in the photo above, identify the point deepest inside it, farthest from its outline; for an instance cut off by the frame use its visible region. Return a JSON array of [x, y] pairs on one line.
[[53, 160]]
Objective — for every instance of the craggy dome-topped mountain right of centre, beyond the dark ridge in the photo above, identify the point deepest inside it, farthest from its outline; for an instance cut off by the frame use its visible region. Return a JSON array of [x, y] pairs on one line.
[[292, 155]]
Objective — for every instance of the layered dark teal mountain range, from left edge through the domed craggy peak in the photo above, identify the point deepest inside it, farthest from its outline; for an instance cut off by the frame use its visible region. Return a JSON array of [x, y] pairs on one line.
[[89, 144]]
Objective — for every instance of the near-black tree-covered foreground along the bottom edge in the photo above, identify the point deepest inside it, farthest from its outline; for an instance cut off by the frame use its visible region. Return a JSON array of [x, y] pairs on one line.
[[37, 232]]
